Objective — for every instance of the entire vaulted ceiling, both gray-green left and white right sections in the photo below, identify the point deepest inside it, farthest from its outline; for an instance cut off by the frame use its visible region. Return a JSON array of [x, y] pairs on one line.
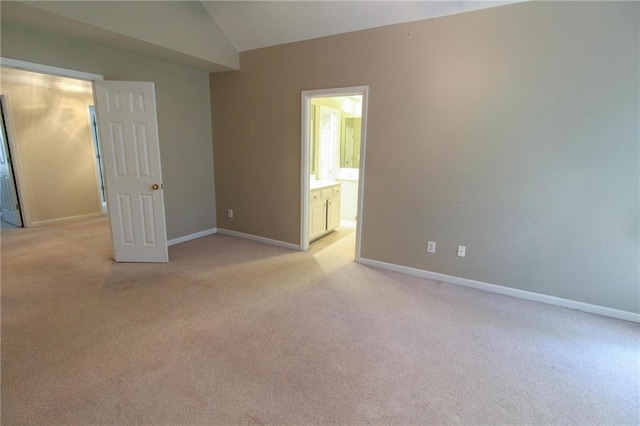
[[209, 34]]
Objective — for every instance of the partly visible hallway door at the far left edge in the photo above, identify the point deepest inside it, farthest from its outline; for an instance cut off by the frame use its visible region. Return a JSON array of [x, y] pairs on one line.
[[8, 192]]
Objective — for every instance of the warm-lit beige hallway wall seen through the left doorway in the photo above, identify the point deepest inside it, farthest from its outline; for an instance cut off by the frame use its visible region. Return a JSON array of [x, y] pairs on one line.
[[54, 154]]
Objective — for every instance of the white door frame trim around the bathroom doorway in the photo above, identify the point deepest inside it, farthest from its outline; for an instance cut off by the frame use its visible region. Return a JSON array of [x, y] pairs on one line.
[[307, 95]]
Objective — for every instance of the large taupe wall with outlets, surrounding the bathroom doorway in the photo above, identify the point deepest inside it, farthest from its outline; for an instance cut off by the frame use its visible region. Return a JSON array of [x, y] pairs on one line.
[[512, 130]]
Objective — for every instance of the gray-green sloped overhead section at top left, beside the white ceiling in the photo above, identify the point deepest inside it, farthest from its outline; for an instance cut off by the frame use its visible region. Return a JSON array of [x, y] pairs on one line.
[[174, 30]]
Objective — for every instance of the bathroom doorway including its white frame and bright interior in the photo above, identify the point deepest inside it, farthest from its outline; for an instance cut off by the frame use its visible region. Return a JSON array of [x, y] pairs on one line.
[[333, 160]]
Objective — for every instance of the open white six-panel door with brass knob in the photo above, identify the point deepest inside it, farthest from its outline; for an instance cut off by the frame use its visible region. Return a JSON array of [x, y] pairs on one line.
[[128, 129]]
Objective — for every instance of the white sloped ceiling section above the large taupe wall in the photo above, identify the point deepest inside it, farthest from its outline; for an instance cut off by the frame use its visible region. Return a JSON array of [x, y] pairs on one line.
[[255, 24]]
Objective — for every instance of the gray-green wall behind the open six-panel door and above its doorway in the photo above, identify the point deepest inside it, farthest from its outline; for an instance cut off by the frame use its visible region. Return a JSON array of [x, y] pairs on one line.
[[184, 115]]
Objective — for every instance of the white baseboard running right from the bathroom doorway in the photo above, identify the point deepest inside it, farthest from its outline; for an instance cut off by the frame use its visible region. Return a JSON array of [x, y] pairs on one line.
[[521, 294]]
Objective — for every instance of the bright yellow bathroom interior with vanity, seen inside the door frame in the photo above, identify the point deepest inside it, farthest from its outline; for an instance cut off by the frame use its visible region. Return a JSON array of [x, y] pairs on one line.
[[335, 133]]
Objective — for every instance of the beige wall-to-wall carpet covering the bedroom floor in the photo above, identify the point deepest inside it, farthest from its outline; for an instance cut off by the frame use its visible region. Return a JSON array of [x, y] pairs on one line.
[[236, 332]]
